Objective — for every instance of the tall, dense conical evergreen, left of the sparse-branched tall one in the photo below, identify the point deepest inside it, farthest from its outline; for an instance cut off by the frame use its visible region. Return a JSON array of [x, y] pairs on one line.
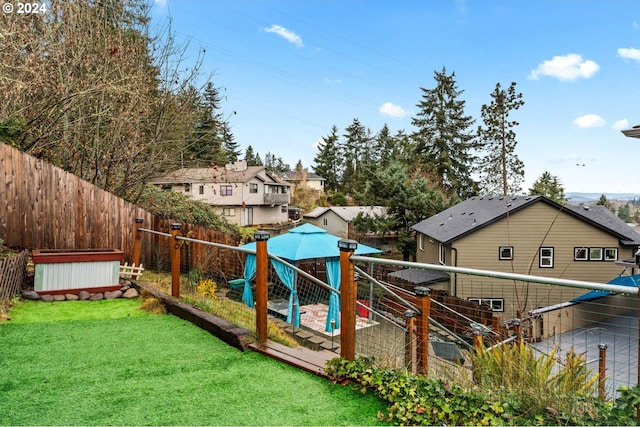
[[443, 138]]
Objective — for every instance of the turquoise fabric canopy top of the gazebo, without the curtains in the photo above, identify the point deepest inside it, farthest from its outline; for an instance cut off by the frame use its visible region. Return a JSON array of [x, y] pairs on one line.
[[308, 242]]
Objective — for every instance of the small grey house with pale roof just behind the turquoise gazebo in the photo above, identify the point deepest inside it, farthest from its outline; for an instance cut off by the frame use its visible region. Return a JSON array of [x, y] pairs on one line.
[[338, 220]]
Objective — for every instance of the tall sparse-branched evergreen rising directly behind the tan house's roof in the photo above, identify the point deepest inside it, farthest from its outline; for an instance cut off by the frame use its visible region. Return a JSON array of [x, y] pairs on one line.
[[501, 171]]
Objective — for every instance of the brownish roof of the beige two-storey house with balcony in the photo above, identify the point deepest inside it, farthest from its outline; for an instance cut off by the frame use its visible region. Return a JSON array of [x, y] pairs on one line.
[[215, 174]]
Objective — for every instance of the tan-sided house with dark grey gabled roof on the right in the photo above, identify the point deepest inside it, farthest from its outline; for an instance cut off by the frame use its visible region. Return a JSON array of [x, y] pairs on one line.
[[526, 235]]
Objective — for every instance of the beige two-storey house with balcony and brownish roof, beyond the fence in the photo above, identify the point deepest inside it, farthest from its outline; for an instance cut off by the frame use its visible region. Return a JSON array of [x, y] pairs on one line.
[[244, 195]]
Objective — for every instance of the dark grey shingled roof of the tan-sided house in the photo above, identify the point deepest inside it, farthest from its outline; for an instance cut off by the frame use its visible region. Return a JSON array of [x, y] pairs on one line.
[[478, 212]]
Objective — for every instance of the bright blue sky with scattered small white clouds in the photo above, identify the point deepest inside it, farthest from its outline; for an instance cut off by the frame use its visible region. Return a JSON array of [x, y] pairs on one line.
[[291, 69]]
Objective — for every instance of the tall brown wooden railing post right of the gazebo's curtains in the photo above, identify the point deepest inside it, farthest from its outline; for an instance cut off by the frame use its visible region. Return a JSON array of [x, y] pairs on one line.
[[348, 295]]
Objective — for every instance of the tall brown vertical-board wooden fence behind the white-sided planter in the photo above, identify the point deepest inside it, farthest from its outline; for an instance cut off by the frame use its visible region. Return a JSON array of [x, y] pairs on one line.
[[44, 207]]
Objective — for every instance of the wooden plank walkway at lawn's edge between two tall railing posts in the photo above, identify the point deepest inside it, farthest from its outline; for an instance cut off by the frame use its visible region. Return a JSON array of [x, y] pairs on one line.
[[300, 357]]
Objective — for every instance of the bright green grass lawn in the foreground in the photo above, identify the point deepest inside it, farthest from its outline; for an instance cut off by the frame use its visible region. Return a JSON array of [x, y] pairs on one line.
[[109, 363]]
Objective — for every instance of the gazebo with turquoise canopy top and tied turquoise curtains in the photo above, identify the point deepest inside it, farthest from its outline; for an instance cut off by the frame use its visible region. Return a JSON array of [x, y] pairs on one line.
[[302, 243]]
